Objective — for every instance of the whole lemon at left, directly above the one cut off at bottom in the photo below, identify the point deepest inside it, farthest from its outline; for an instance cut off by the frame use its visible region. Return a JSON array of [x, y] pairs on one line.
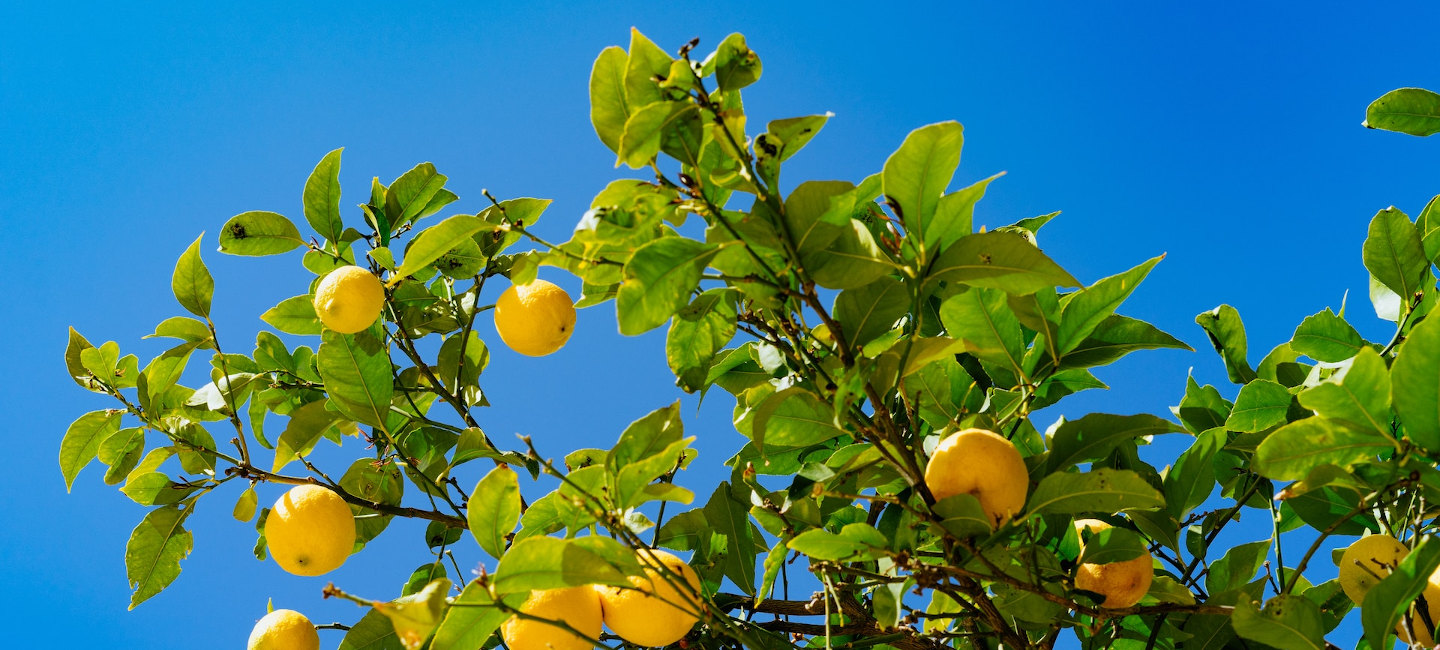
[[310, 531]]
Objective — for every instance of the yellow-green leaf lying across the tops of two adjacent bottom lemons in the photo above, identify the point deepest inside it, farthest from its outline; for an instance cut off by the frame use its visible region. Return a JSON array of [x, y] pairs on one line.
[[549, 564]]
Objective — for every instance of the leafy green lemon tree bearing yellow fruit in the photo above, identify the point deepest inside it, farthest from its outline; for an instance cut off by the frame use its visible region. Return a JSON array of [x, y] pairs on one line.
[[886, 347]]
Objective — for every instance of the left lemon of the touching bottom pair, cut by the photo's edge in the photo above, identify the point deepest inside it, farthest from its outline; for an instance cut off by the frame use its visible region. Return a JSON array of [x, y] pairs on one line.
[[580, 607]]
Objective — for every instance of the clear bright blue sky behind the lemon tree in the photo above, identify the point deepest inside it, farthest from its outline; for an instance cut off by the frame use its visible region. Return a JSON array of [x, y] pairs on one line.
[[1226, 138]]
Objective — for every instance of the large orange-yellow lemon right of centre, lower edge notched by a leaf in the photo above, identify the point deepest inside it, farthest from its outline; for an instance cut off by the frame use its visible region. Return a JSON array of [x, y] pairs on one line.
[[980, 463]]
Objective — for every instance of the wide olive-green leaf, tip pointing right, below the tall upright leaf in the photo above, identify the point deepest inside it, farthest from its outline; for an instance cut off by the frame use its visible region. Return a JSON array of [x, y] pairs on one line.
[[999, 260]]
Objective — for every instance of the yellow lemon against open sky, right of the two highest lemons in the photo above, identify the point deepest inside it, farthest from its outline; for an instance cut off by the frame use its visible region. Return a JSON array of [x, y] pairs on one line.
[[535, 319]]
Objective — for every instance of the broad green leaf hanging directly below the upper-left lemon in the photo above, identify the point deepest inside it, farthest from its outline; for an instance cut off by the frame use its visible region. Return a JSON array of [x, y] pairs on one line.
[[356, 370]]
